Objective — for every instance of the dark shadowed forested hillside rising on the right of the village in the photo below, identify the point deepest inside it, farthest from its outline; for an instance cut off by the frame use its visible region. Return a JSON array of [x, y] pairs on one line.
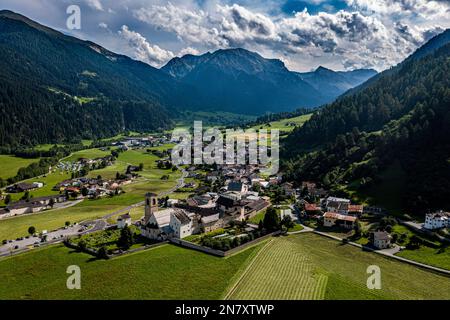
[[403, 117]]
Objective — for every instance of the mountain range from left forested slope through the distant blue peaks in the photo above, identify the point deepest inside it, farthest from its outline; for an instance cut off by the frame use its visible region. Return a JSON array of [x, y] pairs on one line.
[[44, 71]]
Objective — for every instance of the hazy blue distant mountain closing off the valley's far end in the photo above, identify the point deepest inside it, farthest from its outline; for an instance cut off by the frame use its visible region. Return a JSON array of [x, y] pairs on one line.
[[238, 80]]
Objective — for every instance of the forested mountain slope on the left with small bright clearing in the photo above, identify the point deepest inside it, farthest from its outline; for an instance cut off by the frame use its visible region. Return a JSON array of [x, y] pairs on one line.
[[55, 88]]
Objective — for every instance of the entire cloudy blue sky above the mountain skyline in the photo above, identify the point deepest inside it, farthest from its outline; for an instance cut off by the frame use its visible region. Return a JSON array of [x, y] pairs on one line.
[[304, 34]]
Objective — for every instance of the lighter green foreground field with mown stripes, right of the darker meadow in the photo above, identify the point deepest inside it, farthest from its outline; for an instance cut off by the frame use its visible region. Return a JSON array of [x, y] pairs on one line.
[[308, 266]]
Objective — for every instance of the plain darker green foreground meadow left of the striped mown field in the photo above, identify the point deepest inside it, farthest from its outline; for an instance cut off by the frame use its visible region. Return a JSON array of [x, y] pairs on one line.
[[166, 272]]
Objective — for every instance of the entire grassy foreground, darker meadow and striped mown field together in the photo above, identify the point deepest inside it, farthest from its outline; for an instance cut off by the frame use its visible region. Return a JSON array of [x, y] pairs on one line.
[[303, 266]]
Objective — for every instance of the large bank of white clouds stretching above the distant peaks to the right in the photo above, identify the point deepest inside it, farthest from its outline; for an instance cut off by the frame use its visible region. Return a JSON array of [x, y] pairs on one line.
[[370, 33]]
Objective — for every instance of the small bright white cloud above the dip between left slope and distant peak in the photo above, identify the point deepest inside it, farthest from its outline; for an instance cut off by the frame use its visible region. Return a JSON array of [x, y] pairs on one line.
[[143, 50]]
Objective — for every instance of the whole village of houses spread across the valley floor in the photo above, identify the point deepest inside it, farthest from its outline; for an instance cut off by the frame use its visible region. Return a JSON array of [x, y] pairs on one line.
[[228, 207]]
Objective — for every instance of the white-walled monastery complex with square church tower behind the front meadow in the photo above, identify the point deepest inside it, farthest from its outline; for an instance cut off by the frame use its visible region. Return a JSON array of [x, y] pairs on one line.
[[201, 213]]
